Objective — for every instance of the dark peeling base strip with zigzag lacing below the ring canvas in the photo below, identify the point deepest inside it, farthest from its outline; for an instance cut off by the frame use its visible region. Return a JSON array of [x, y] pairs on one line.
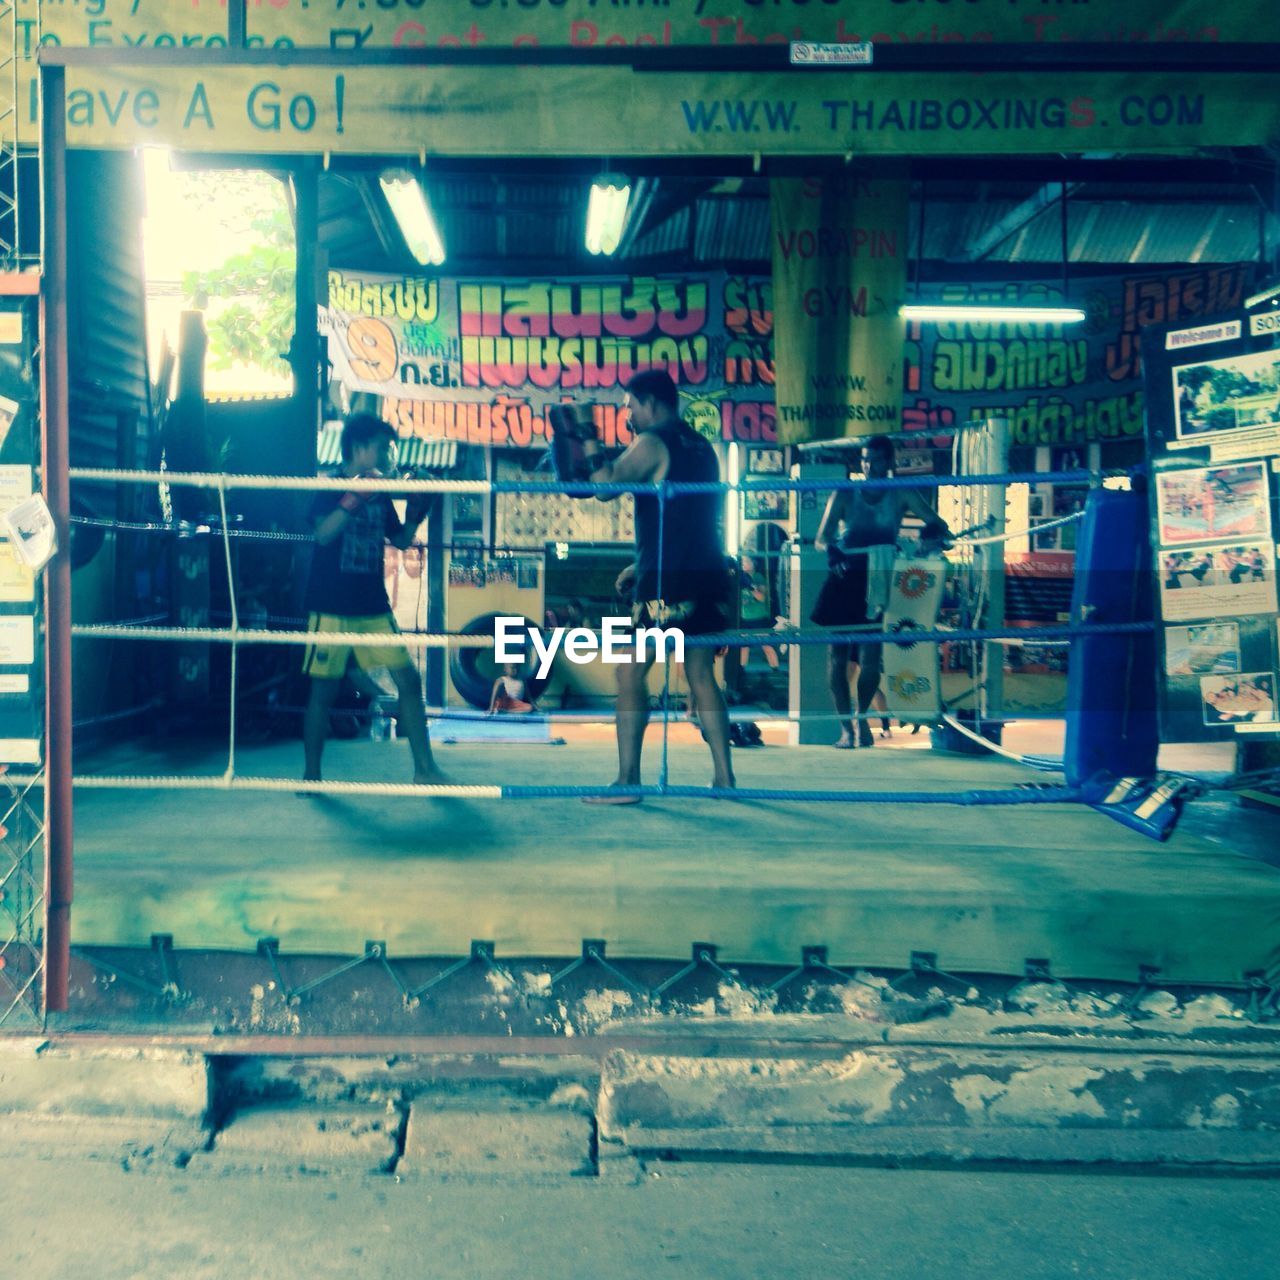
[[269, 993]]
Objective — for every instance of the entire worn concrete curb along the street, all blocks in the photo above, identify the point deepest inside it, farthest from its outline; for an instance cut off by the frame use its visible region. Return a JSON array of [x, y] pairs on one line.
[[696, 1092]]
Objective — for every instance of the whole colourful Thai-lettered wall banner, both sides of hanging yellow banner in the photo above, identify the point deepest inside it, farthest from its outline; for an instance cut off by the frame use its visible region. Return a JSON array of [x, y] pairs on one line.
[[525, 346]]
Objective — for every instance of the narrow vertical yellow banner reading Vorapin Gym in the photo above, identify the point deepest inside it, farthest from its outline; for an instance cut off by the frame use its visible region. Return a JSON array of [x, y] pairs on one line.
[[840, 278]]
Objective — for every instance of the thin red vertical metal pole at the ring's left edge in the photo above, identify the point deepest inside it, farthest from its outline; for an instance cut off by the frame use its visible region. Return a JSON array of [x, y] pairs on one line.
[[58, 574]]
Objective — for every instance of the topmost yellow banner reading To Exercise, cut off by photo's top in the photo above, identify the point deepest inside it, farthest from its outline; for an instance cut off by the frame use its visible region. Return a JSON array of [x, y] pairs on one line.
[[356, 25]]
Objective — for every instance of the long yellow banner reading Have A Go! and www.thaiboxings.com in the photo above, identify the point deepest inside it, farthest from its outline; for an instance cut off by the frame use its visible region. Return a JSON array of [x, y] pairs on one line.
[[506, 111]]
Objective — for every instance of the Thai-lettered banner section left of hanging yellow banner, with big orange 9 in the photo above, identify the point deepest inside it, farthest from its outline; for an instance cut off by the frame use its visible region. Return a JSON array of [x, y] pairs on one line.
[[484, 360]]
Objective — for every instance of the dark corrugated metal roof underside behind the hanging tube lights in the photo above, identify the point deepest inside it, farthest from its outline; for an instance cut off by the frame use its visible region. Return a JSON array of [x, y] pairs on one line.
[[533, 223]]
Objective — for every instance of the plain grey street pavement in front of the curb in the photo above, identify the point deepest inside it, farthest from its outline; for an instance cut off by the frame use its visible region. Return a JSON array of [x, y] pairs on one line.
[[706, 1223]]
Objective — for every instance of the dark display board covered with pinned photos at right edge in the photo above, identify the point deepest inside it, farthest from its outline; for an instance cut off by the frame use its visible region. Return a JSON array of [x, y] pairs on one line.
[[1213, 391]]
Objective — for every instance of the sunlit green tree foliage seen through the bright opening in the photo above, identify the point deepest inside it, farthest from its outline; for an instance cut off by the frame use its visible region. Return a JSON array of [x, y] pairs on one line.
[[257, 324]]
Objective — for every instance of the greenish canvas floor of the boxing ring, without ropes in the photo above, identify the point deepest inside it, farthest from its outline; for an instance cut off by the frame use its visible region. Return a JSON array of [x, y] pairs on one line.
[[984, 888]]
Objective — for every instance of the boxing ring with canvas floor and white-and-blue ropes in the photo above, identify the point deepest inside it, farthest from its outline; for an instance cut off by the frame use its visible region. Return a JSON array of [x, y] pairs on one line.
[[918, 860]]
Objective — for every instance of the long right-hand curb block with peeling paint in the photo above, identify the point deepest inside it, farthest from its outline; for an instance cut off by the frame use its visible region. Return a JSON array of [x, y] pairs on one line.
[[949, 1104]]
